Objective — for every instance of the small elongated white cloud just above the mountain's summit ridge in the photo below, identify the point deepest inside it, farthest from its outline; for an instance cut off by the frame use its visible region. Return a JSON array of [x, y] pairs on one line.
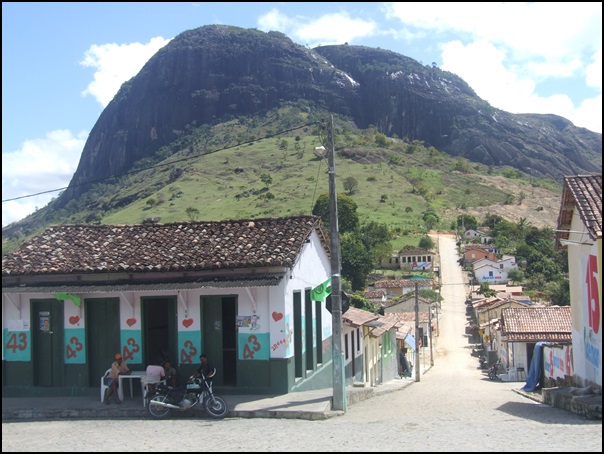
[[337, 28]]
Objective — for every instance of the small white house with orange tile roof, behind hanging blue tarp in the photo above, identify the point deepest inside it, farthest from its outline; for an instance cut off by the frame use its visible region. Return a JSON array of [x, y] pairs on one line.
[[523, 327]]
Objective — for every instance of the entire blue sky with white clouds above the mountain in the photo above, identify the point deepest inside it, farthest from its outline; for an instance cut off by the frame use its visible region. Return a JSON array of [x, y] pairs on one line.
[[62, 63]]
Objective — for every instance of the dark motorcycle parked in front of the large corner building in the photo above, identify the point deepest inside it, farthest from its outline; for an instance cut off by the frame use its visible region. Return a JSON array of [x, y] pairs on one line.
[[164, 399]]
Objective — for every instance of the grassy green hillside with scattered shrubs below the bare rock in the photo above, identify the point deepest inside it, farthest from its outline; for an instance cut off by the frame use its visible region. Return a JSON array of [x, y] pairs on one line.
[[268, 167]]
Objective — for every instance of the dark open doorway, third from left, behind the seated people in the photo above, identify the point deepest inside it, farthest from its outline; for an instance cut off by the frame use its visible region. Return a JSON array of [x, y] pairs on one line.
[[160, 336]]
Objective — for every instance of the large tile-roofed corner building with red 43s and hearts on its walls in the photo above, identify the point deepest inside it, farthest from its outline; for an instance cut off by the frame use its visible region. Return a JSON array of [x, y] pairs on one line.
[[76, 294]]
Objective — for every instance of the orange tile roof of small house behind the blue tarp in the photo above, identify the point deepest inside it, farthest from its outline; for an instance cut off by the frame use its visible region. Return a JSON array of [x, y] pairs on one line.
[[533, 324]]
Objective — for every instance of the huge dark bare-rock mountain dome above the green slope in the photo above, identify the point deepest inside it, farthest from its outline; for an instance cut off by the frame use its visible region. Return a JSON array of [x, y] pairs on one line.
[[211, 74]]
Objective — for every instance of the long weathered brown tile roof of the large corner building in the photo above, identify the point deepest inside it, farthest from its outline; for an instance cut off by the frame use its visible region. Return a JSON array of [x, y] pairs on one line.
[[185, 246]]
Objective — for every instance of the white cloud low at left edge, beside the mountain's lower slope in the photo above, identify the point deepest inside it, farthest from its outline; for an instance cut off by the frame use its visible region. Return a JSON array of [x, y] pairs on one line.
[[40, 165]]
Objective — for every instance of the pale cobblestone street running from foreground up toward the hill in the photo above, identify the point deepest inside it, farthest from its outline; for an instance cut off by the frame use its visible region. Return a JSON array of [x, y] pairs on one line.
[[453, 407]]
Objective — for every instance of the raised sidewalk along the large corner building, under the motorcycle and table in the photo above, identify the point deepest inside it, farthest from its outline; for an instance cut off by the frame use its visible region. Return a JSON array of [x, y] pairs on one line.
[[311, 405]]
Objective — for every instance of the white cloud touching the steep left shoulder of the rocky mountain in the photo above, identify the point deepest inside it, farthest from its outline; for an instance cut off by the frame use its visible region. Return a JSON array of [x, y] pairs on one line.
[[115, 64]]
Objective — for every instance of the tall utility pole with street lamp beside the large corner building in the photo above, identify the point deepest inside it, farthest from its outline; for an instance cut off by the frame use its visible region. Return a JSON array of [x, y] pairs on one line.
[[339, 385]]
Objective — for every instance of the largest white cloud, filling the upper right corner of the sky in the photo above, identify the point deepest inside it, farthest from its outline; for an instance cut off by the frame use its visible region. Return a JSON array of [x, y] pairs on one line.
[[506, 50]]
